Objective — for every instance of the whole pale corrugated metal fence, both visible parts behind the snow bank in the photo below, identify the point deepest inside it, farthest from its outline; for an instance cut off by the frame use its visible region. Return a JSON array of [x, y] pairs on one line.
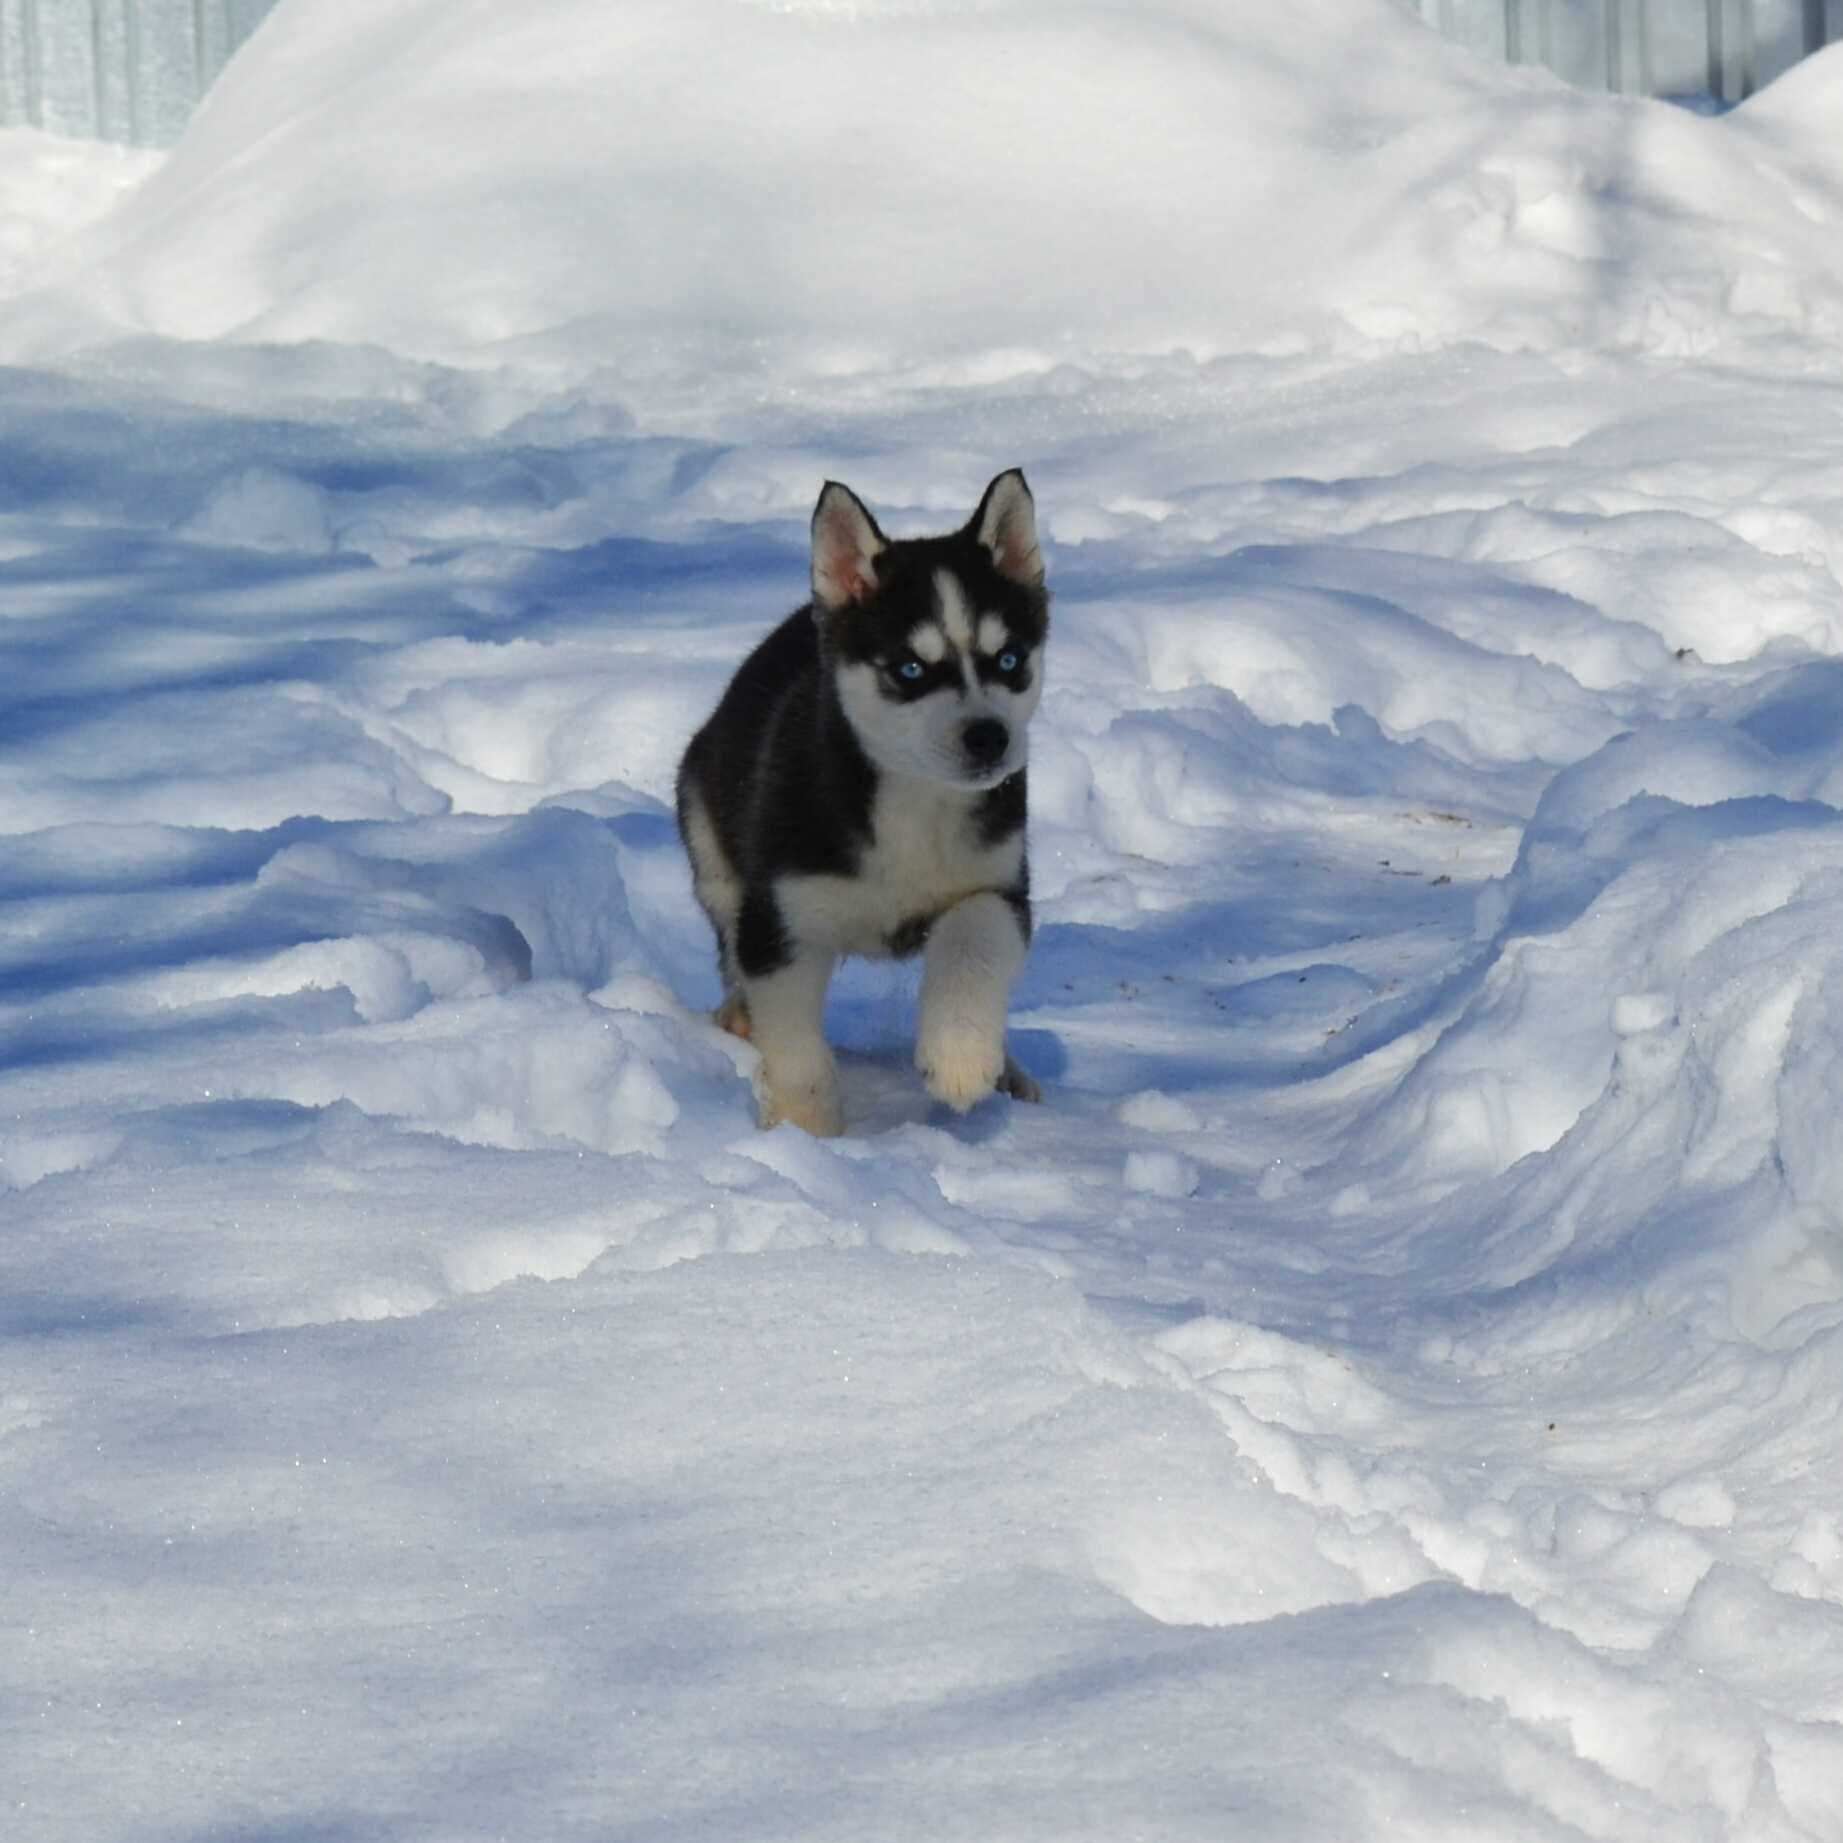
[[134, 71]]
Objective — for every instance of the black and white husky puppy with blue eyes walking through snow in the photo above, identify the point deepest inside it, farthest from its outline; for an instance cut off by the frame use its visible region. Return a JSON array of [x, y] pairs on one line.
[[862, 790]]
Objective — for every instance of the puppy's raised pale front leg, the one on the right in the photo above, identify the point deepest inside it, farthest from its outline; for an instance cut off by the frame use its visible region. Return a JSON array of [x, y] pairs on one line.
[[974, 954]]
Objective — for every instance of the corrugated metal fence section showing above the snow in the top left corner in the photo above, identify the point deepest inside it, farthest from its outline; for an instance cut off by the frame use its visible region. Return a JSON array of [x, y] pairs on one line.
[[130, 71]]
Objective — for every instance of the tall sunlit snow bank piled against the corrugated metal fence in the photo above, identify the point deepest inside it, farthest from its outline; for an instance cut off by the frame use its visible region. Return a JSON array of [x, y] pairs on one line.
[[727, 183]]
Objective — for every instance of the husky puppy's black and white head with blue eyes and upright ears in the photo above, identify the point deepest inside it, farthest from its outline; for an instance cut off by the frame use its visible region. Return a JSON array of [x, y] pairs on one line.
[[937, 644]]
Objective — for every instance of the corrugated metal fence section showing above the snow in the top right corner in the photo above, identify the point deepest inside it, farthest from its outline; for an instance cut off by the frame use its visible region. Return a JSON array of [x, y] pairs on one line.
[[1724, 49]]
